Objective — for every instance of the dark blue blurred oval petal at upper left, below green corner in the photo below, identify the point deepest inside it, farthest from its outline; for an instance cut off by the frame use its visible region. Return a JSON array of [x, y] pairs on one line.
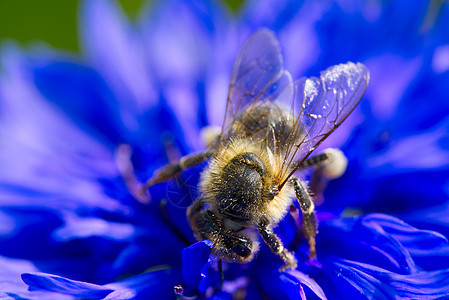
[[83, 95]]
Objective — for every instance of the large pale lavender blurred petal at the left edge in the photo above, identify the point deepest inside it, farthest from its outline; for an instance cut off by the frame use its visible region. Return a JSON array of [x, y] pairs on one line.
[[45, 156]]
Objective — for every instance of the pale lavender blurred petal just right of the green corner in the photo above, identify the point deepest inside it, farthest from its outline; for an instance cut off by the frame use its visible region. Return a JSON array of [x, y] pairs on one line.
[[116, 50]]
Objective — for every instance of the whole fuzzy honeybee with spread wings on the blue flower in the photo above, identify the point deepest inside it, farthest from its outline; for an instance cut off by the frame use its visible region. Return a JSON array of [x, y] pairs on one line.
[[272, 125]]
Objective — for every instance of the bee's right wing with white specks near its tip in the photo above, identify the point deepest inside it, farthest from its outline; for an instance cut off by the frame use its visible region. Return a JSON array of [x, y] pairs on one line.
[[322, 104]]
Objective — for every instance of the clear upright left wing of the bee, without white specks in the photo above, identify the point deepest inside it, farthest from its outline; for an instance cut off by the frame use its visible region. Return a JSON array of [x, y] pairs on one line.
[[258, 74]]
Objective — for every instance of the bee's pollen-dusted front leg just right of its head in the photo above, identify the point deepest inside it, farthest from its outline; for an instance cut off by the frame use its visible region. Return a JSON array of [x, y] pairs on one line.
[[276, 246]]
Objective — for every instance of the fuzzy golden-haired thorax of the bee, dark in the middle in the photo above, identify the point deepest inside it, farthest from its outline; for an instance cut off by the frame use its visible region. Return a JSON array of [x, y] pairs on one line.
[[239, 180]]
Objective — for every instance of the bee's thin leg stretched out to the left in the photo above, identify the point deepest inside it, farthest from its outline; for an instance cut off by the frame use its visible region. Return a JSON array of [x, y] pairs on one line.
[[171, 170]]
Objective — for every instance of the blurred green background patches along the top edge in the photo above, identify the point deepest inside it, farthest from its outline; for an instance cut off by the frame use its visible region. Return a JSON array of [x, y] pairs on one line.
[[54, 21]]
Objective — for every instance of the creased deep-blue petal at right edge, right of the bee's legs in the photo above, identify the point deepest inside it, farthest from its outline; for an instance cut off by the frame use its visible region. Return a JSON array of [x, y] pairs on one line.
[[384, 241]]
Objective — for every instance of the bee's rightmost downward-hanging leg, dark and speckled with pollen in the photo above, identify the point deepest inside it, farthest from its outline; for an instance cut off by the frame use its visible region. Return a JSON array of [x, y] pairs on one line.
[[309, 224]]
